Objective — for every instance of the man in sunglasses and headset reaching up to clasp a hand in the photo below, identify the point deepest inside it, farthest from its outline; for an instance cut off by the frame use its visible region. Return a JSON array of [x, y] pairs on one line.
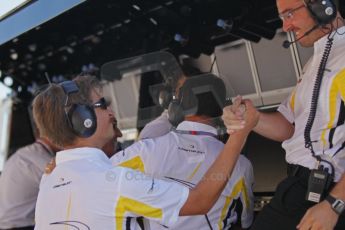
[[86, 192]]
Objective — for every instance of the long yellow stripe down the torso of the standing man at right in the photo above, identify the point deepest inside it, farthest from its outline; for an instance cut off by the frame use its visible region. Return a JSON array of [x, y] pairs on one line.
[[337, 87]]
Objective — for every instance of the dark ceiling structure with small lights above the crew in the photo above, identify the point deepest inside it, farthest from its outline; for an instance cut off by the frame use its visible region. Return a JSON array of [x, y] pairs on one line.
[[94, 32]]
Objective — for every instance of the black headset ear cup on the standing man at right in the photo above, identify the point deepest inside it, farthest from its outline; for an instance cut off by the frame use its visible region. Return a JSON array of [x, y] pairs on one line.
[[323, 11]]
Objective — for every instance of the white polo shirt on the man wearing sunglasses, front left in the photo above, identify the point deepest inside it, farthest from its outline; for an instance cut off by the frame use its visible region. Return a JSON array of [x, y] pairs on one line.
[[87, 192]]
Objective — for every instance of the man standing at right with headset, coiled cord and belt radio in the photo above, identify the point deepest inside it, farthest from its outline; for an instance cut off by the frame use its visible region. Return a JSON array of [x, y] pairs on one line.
[[310, 122]]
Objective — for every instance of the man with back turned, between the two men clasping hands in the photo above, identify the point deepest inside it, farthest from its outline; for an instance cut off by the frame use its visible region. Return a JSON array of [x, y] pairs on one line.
[[185, 153]]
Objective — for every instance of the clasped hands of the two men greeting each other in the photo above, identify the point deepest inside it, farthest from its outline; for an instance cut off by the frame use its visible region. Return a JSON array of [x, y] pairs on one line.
[[239, 114]]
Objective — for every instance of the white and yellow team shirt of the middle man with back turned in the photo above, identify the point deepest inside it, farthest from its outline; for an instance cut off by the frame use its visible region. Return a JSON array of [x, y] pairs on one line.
[[185, 155]]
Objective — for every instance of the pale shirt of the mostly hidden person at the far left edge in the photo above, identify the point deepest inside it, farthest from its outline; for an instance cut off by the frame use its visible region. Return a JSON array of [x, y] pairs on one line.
[[19, 184]]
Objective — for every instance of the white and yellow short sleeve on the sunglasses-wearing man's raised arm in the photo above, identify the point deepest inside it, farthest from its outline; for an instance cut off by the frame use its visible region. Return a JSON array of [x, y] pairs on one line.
[[154, 199]]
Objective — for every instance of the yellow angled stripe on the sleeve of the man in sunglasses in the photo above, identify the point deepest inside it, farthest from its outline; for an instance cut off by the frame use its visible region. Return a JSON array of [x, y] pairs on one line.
[[125, 204]]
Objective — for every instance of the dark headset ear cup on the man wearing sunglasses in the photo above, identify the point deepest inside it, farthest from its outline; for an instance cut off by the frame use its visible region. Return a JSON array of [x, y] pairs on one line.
[[83, 120]]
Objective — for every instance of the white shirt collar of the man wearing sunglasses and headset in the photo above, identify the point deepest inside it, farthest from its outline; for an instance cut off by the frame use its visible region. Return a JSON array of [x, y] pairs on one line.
[[81, 153]]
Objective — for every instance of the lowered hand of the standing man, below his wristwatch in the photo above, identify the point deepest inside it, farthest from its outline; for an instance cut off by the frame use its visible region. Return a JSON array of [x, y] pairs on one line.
[[319, 217]]
